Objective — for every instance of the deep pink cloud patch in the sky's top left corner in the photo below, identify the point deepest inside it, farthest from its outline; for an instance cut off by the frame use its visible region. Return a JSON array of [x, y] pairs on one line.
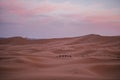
[[14, 7]]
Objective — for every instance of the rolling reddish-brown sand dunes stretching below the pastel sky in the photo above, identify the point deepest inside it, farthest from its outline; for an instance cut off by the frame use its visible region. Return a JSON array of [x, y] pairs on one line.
[[90, 57]]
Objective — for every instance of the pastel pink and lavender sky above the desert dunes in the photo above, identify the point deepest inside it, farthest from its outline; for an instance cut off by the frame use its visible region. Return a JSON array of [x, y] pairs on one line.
[[59, 18]]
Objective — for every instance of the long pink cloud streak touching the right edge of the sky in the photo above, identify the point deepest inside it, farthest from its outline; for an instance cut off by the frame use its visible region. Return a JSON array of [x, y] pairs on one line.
[[104, 20]]
